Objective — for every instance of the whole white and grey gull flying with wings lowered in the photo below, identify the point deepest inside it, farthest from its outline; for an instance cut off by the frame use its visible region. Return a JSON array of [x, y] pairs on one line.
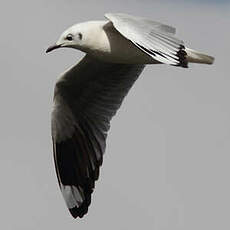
[[89, 94]]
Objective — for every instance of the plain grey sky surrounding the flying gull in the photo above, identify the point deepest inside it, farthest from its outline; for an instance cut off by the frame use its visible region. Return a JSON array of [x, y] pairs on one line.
[[166, 165]]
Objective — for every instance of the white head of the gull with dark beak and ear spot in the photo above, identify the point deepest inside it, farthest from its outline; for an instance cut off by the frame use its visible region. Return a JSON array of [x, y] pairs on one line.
[[77, 37]]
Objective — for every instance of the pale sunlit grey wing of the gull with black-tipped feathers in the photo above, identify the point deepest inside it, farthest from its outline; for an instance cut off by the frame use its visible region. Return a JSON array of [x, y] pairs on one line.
[[153, 38]]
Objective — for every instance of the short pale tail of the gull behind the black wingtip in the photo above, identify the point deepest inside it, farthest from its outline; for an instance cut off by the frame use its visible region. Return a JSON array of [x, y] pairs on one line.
[[197, 57]]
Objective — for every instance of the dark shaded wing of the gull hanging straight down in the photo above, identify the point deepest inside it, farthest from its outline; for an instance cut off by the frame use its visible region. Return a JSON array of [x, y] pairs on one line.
[[86, 98]]
